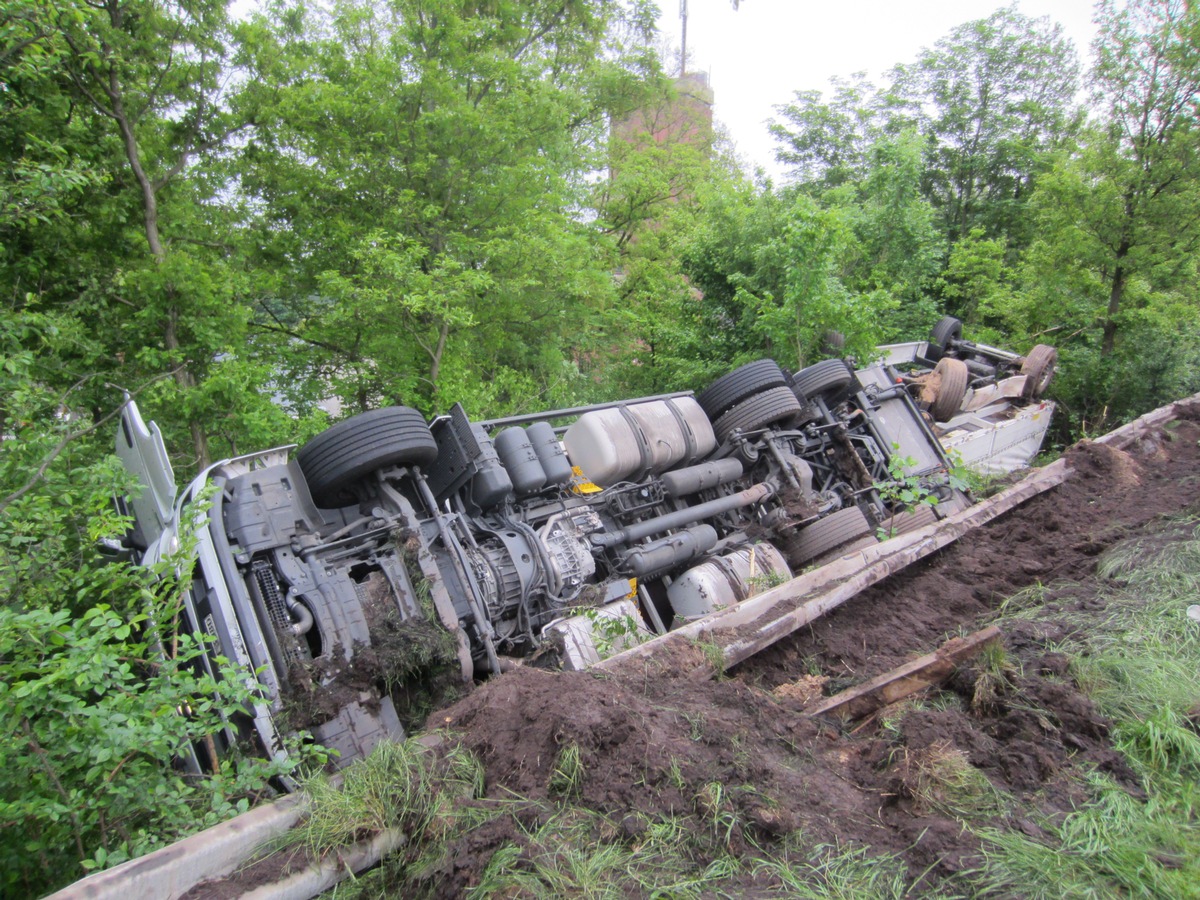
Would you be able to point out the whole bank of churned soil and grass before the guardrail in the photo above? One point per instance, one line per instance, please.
(1061, 764)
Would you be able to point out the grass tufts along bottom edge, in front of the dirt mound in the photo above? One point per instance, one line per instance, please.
(563, 850)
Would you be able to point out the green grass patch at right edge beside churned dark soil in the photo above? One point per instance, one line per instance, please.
(1141, 663)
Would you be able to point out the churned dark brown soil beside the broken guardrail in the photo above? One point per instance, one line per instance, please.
(652, 743)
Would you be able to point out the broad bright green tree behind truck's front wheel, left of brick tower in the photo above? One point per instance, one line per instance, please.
(422, 176)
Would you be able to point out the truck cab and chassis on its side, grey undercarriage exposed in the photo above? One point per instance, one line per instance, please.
(388, 553)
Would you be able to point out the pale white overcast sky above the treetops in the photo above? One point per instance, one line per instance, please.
(758, 56)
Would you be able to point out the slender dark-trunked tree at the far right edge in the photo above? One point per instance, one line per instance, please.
(1114, 272)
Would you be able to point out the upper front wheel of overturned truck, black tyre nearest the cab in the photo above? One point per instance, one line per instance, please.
(338, 458)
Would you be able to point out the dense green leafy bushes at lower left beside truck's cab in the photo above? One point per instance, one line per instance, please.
(98, 694)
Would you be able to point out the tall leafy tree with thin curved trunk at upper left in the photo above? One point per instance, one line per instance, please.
(117, 115)
